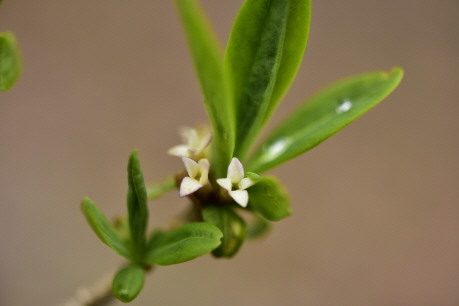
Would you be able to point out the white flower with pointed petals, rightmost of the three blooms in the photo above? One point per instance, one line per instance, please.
(235, 179)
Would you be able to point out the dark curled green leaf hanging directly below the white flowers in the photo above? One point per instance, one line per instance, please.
(232, 226)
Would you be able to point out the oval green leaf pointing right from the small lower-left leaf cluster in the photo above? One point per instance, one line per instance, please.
(182, 244)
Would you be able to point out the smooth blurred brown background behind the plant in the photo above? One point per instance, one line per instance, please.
(376, 216)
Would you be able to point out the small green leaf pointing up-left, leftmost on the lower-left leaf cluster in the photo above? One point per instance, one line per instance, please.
(103, 228)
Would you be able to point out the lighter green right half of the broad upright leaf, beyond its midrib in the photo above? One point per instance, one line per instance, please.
(296, 37)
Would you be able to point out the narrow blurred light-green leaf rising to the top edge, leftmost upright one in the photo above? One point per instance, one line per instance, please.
(207, 57)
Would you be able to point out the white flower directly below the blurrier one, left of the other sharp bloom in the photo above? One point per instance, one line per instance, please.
(197, 176)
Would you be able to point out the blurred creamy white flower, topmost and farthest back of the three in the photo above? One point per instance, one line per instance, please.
(194, 142)
